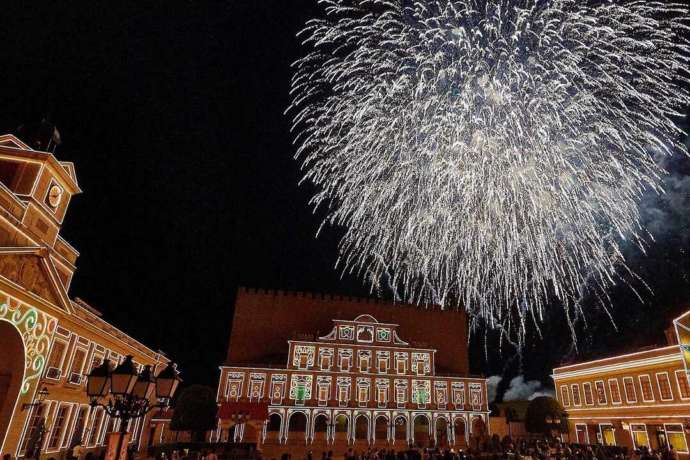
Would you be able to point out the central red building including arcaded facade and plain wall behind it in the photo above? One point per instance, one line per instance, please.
(371, 376)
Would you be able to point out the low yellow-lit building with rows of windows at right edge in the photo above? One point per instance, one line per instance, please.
(634, 399)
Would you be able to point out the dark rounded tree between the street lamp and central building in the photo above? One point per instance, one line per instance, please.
(195, 411)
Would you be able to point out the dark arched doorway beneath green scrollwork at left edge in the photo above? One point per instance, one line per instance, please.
(11, 373)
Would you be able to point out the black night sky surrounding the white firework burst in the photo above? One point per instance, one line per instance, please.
(173, 115)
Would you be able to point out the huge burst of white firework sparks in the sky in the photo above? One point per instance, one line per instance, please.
(489, 154)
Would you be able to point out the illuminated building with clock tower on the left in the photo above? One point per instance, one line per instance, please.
(47, 339)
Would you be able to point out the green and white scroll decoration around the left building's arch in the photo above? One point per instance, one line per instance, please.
(36, 329)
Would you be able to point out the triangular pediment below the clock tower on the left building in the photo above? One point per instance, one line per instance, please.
(34, 273)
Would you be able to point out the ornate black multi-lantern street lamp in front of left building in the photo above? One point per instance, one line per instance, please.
(128, 391)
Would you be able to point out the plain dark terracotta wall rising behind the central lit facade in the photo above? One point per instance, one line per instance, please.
(264, 320)
